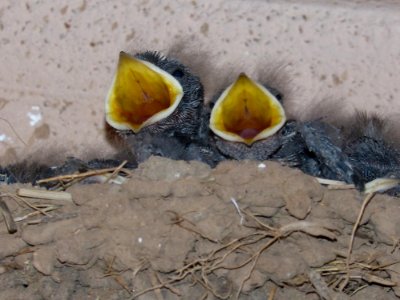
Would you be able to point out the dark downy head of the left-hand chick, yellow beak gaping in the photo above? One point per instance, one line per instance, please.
(153, 93)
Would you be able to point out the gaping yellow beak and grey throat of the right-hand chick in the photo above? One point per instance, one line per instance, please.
(245, 119)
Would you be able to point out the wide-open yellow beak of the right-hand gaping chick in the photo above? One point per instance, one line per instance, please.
(246, 112)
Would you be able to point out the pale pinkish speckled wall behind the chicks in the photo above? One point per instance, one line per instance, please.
(57, 60)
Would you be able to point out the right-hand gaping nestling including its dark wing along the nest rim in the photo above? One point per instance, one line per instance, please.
(249, 122)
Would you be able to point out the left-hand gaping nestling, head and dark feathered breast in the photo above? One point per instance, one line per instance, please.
(156, 103)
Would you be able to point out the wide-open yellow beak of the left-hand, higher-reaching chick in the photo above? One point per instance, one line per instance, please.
(141, 94)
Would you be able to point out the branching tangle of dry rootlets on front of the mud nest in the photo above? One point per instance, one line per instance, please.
(256, 243)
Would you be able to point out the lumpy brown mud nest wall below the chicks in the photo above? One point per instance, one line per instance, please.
(175, 224)
